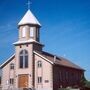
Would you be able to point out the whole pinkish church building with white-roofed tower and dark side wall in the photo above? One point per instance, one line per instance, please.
(31, 67)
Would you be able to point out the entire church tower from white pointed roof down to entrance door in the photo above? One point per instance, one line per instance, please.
(28, 41)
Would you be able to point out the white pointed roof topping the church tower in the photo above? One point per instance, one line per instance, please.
(29, 18)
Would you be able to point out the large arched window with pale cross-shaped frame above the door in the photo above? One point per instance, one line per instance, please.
(23, 59)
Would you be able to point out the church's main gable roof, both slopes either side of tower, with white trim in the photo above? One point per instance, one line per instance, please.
(53, 59)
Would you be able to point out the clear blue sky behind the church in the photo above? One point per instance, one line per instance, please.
(65, 28)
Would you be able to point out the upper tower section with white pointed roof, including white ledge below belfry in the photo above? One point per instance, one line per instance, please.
(29, 30)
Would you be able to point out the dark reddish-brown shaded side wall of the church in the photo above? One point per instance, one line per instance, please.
(65, 77)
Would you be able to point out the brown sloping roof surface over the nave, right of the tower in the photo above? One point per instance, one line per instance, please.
(58, 60)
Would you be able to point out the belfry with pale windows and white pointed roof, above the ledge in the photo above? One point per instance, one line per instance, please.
(29, 27)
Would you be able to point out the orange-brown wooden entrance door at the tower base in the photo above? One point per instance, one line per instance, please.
(23, 81)
